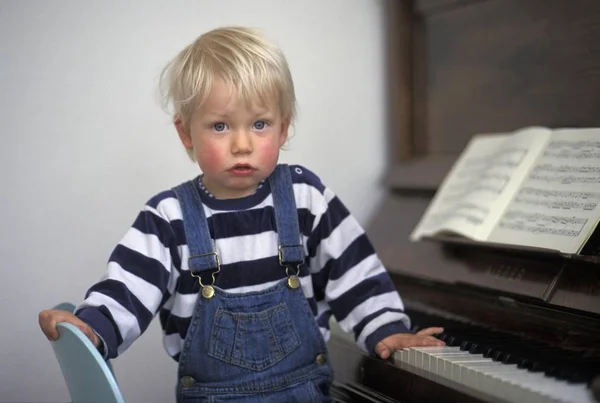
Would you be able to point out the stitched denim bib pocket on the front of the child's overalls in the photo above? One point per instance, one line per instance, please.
(253, 340)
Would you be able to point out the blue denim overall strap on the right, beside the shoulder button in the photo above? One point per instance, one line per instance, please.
(291, 249)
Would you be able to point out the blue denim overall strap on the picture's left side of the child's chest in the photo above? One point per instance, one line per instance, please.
(202, 253)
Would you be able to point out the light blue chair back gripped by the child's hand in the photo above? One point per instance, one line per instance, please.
(88, 376)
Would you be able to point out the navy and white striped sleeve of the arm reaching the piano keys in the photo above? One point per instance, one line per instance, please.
(350, 277)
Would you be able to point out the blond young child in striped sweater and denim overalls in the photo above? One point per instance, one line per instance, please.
(245, 263)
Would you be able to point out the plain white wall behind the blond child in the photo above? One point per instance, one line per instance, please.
(83, 144)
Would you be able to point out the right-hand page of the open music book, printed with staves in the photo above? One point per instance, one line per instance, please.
(557, 205)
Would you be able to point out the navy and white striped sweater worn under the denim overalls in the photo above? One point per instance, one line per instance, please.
(147, 273)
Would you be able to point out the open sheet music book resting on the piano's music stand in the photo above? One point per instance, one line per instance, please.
(535, 187)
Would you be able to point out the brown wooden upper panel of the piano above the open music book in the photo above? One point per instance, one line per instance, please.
(498, 65)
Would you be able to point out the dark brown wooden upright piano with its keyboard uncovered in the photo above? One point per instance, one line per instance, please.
(521, 325)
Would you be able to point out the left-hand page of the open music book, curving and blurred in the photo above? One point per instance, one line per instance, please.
(481, 183)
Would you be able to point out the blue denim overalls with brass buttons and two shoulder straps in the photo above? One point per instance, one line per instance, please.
(262, 346)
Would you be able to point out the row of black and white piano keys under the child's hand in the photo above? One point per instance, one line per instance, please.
(501, 366)
